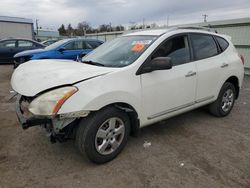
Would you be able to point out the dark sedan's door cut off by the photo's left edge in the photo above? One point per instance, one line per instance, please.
(7, 50)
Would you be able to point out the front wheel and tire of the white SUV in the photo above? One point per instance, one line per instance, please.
(103, 134)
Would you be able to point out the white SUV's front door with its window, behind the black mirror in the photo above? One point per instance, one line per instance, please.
(167, 91)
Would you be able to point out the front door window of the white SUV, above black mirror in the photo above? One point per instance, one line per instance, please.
(176, 48)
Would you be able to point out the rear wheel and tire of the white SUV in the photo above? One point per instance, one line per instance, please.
(224, 104)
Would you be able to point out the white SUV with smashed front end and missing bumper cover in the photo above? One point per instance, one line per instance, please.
(130, 82)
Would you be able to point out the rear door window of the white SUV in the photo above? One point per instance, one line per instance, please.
(204, 46)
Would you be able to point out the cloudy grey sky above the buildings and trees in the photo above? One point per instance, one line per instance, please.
(53, 13)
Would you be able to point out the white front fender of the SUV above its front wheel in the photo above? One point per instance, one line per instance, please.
(101, 91)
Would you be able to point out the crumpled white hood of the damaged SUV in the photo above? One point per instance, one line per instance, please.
(36, 76)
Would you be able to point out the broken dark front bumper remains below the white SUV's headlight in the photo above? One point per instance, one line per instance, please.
(29, 122)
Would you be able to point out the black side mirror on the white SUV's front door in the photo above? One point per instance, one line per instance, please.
(158, 63)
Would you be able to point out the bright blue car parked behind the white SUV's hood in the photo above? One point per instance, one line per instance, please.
(63, 49)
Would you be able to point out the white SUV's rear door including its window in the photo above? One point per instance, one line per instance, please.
(208, 63)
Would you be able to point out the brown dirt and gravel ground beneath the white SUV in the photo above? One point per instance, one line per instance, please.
(191, 150)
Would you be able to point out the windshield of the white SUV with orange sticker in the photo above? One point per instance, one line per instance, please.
(119, 52)
